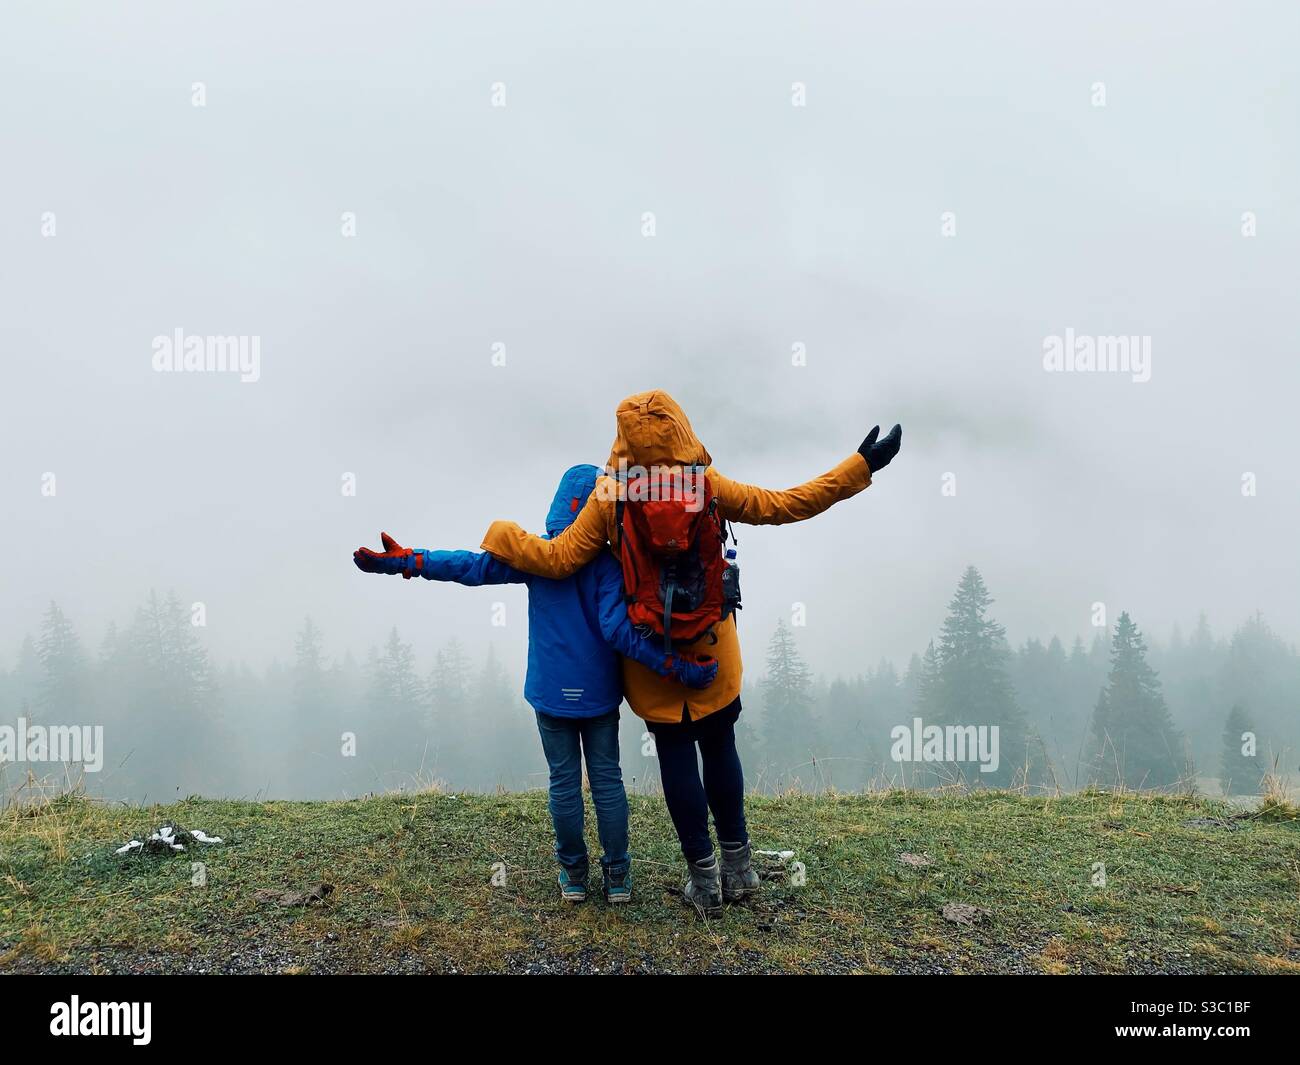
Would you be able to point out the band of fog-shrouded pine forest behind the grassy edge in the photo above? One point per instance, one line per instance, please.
(319, 724)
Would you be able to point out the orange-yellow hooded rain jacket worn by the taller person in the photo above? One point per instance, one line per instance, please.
(655, 431)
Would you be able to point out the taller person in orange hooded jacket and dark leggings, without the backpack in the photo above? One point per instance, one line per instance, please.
(653, 431)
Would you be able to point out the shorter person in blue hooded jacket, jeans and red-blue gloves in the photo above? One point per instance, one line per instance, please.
(578, 627)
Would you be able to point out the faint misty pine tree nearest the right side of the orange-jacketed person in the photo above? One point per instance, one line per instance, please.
(791, 735)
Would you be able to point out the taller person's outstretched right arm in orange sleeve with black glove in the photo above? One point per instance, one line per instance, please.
(761, 506)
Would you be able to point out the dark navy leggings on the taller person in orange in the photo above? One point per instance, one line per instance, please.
(723, 789)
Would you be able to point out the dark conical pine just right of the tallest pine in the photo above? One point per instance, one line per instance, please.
(1134, 739)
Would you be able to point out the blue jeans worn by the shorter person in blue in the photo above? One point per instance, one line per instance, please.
(566, 742)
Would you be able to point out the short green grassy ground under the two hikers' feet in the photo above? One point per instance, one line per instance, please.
(413, 889)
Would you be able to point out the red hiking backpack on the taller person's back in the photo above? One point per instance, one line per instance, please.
(671, 546)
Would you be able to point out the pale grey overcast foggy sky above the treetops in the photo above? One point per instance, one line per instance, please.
(774, 226)
